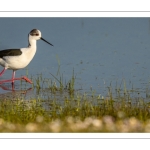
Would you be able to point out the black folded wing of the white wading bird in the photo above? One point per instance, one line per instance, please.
(10, 52)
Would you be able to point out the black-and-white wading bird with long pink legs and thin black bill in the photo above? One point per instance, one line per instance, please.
(15, 59)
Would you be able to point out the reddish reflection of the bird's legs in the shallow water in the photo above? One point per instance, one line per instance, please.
(14, 91)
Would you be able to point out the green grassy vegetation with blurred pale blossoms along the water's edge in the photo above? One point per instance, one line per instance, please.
(69, 110)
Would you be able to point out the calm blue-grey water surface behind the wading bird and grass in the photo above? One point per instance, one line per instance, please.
(103, 52)
